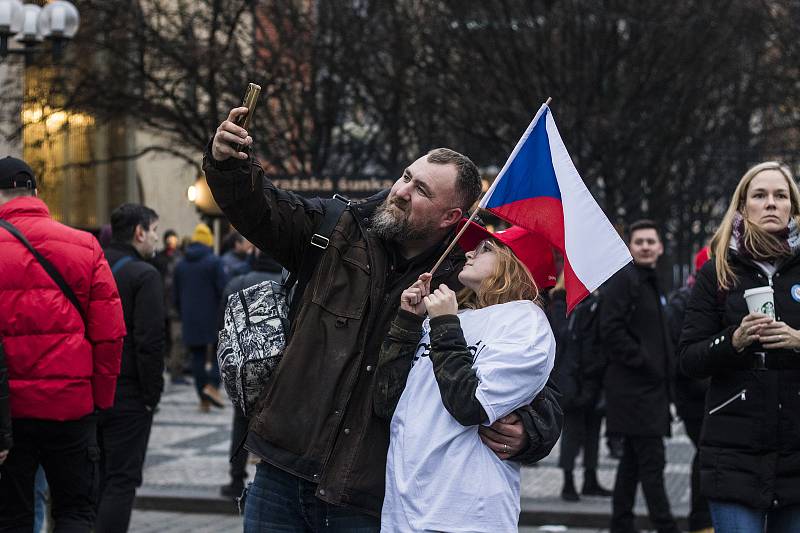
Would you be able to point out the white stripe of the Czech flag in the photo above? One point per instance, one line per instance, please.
(593, 246)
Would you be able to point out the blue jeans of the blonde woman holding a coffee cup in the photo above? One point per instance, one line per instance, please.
(736, 518)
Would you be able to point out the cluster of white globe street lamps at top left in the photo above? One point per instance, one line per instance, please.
(57, 22)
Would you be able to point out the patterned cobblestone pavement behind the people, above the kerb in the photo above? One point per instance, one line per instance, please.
(188, 455)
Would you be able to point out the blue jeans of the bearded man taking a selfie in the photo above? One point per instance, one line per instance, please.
(281, 502)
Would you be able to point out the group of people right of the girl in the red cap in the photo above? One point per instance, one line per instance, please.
(732, 372)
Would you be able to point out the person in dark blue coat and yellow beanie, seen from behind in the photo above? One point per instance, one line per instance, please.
(198, 285)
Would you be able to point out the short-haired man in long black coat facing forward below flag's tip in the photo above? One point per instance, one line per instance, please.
(637, 381)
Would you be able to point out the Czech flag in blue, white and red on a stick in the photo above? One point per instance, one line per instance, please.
(540, 190)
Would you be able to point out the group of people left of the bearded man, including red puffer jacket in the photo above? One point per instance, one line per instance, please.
(78, 390)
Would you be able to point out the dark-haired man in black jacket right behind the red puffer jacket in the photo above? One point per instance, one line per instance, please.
(123, 430)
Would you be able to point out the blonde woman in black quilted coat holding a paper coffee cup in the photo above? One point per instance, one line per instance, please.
(750, 443)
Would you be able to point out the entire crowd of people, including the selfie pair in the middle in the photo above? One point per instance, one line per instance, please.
(408, 396)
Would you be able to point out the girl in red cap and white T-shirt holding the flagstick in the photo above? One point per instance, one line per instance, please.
(477, 357)
